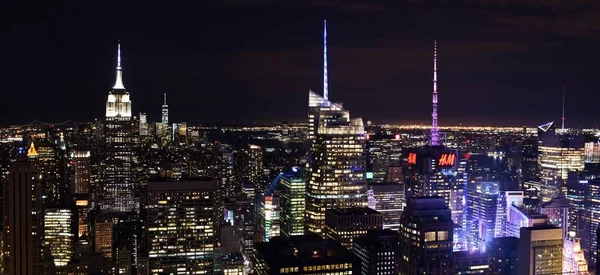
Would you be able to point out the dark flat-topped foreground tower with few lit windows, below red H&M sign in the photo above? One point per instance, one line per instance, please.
(426, 237)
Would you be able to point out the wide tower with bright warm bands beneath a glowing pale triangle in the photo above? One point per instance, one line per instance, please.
(559, 154)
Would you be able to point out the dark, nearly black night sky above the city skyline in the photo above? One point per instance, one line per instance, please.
(236, 61)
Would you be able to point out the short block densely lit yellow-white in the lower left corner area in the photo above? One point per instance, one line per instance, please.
(57, 235)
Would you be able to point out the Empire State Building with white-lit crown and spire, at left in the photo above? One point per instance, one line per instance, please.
(117, 188)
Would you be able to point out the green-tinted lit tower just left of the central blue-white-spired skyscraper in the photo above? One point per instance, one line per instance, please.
(293, 202)
